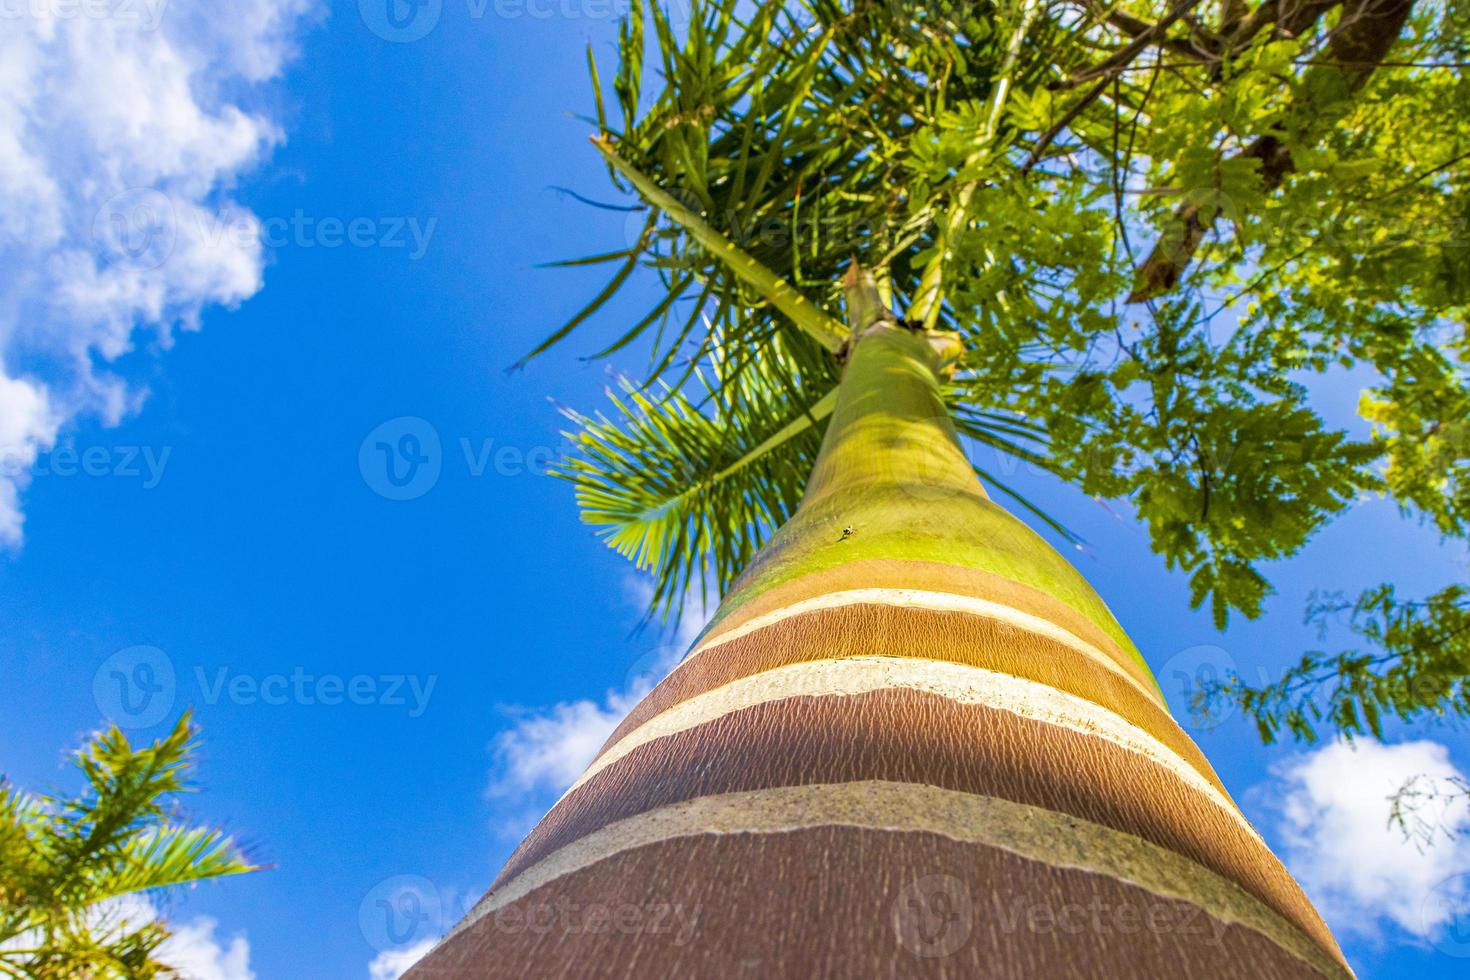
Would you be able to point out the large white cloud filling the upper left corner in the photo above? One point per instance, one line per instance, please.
(118, 152)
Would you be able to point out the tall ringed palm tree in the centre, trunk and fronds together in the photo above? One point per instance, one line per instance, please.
(912, 741)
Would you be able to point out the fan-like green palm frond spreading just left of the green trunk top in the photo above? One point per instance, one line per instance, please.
(689, 489)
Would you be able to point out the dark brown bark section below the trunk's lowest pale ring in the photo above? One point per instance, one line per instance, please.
(853, 903)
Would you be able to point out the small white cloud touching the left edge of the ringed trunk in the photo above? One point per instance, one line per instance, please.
(549, 747)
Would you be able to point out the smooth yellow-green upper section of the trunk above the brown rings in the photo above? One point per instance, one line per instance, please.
(893, 483)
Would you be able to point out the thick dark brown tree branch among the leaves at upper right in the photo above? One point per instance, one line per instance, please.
(1358, 45)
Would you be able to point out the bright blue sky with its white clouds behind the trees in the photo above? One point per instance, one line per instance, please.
(395, 681)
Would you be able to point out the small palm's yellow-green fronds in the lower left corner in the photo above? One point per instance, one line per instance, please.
(65, 862)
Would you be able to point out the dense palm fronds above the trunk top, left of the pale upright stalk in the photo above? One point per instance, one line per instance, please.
(793, 131)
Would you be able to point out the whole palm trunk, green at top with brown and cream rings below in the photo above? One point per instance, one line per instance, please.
(912, 743)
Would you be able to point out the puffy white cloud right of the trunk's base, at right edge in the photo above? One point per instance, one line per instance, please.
(1334, 822)
